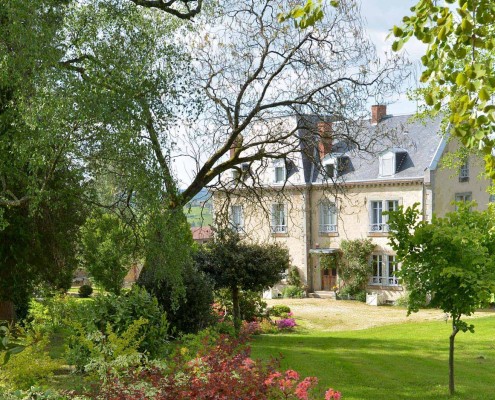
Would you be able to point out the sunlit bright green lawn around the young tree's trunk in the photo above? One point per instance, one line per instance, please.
(407, 361)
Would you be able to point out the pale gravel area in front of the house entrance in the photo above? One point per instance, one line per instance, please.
(341, 315)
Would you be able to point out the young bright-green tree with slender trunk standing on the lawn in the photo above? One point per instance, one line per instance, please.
(451, 259)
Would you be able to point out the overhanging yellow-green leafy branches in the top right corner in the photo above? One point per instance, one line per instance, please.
(458, 67)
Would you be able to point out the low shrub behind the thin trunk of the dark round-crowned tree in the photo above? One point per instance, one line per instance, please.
(252, 307)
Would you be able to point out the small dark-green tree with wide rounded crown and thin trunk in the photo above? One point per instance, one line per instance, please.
(235, 265)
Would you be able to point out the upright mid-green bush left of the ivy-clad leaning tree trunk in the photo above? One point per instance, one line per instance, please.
(107, 246)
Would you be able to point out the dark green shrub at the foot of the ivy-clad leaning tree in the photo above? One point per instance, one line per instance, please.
(188, 314)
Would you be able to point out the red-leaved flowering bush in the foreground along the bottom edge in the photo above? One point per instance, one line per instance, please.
(220, 371)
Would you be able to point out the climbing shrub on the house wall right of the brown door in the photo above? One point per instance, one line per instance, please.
(355, 268)
